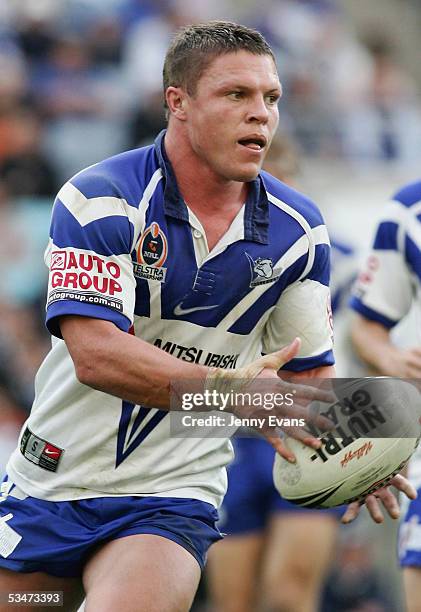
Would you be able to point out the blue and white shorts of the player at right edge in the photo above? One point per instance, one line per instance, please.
(409, 541)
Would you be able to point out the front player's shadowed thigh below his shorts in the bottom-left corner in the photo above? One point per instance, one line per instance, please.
(12, 582)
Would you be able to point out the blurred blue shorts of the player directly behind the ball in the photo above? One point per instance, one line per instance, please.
(252, 499)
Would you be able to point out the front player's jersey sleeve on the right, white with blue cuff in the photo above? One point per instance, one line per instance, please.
(304, 310)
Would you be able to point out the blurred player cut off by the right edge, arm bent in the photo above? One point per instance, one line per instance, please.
(389, 292)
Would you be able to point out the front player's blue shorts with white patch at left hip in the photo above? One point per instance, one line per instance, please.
(58, 537)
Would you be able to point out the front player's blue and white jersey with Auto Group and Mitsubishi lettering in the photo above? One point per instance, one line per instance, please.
(125, 248)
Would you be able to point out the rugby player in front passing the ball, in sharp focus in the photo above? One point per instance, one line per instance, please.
(207, 264)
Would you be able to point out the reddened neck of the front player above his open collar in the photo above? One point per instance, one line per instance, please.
(200, 187)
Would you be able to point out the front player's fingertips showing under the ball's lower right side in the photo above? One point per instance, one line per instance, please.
(387, 499)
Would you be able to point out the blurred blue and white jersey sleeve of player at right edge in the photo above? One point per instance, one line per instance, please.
(384, 289)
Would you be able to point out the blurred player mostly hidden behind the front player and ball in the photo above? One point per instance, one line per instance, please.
(275, 555)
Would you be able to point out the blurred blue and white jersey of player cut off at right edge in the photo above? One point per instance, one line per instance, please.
(389, 288)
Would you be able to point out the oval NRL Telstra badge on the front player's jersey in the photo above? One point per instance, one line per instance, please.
(151, 254)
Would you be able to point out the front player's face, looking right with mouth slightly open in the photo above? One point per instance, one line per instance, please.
(233, 114)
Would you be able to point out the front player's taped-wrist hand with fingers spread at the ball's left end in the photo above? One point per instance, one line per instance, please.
(261, 376)
